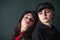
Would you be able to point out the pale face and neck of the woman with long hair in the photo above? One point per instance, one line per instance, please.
(27, 21)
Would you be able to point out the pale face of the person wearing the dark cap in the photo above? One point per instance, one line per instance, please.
(46, 15)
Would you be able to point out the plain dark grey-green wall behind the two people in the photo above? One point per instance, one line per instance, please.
(11, 11)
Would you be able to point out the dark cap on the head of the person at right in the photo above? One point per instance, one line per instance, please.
(44, 5)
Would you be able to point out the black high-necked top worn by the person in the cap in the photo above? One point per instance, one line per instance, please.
(42, 32)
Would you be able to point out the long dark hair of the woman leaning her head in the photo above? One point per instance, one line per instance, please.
(17, 30)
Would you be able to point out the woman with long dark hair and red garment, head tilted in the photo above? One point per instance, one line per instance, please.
(25, 26)
